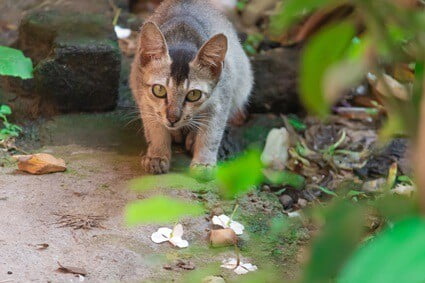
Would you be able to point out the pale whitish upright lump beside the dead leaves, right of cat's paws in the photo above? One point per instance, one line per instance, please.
(275, 153)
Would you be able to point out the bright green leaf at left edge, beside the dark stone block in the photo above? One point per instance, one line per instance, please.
(14, 63)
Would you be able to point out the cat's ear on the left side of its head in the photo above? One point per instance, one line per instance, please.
(152, 45)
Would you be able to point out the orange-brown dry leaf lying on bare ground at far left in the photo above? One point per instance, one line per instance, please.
(40, 163)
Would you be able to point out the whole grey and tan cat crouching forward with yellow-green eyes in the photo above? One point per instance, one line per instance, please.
(189, 77)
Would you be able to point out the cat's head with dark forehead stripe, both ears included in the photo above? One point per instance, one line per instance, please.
(177, 82)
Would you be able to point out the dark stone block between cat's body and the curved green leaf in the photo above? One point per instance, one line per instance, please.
(276, 86)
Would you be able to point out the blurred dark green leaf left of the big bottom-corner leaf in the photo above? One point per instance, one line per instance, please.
(338, 239)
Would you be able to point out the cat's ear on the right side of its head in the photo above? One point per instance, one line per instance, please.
(212, 54)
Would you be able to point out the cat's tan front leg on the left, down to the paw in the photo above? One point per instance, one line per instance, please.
(158, 155)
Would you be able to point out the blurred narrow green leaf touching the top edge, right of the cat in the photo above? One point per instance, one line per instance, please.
(292, 11)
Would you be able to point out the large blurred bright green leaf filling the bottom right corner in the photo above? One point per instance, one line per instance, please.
(396, 255)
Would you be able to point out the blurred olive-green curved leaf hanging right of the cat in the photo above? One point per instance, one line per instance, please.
(324, 50)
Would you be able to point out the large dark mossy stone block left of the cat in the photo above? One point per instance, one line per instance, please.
(77, 59)
